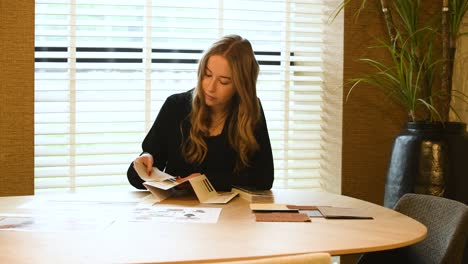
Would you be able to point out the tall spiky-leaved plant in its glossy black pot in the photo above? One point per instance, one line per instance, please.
(430, 154)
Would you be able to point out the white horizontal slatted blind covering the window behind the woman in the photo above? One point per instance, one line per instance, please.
(104, 68)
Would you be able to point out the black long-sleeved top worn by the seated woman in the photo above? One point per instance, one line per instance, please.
(164, 142)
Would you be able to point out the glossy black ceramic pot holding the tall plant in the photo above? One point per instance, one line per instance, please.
(429, 158)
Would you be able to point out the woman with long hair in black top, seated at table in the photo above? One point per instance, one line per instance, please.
(218, 128)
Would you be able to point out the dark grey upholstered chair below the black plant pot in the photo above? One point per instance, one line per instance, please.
(447, 224)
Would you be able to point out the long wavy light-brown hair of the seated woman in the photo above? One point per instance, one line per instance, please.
(244, 110)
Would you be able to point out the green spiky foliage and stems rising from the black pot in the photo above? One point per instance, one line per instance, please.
(418, 75)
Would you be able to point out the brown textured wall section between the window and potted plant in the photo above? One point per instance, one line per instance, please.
(370, 120)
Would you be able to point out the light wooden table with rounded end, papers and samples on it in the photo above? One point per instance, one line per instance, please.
(236, 235)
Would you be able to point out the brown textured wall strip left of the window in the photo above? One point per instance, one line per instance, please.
(16, 97)
